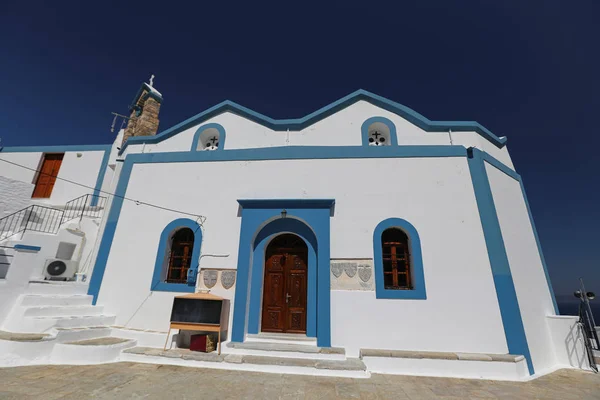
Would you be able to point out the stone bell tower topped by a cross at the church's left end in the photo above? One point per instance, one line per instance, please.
(143, 117)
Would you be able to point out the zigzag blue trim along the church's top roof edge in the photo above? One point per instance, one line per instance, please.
(324, 112)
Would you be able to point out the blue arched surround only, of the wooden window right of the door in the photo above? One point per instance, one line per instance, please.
(417, 276)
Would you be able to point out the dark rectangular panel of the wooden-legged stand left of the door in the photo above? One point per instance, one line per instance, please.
(196, 311)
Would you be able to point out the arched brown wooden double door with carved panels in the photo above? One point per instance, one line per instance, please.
(285, 285)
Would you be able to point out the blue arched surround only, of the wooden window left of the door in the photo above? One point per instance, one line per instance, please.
(161, 265)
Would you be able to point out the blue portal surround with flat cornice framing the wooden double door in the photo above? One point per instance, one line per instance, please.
(261, 221)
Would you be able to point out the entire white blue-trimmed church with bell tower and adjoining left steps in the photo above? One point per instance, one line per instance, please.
(360, 238)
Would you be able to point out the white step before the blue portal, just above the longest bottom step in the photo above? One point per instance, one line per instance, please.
(287, 350)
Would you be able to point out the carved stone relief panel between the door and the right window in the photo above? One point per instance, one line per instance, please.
(354, 274)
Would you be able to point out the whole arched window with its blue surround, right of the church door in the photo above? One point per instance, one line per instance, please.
(398, 261)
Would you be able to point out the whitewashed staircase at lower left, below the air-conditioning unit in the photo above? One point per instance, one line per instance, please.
(64, 318)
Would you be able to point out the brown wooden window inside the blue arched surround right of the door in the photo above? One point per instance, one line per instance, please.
(396, 259)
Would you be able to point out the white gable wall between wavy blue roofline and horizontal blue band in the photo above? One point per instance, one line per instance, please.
(340, 129)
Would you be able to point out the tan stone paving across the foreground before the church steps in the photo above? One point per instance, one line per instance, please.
(148, 381)
